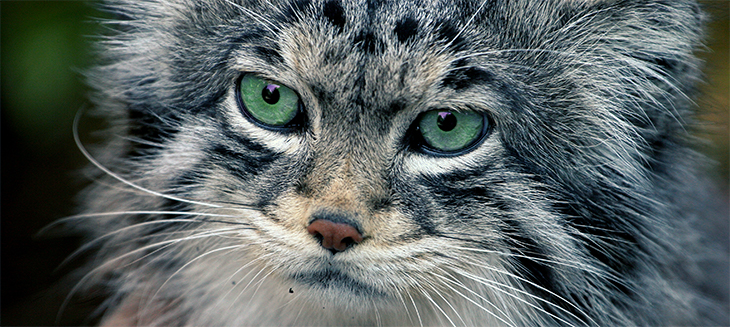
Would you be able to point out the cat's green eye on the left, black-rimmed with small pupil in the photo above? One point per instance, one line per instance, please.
(268, 103)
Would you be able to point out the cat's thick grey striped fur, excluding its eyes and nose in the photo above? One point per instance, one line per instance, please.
(579, 207)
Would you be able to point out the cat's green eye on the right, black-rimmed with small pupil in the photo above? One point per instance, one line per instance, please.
(448, 131)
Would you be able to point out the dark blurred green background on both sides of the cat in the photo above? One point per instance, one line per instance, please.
(43, 47)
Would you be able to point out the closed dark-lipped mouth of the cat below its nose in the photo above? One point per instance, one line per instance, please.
(335, 280)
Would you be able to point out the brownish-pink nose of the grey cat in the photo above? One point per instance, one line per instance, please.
(333, 236)
